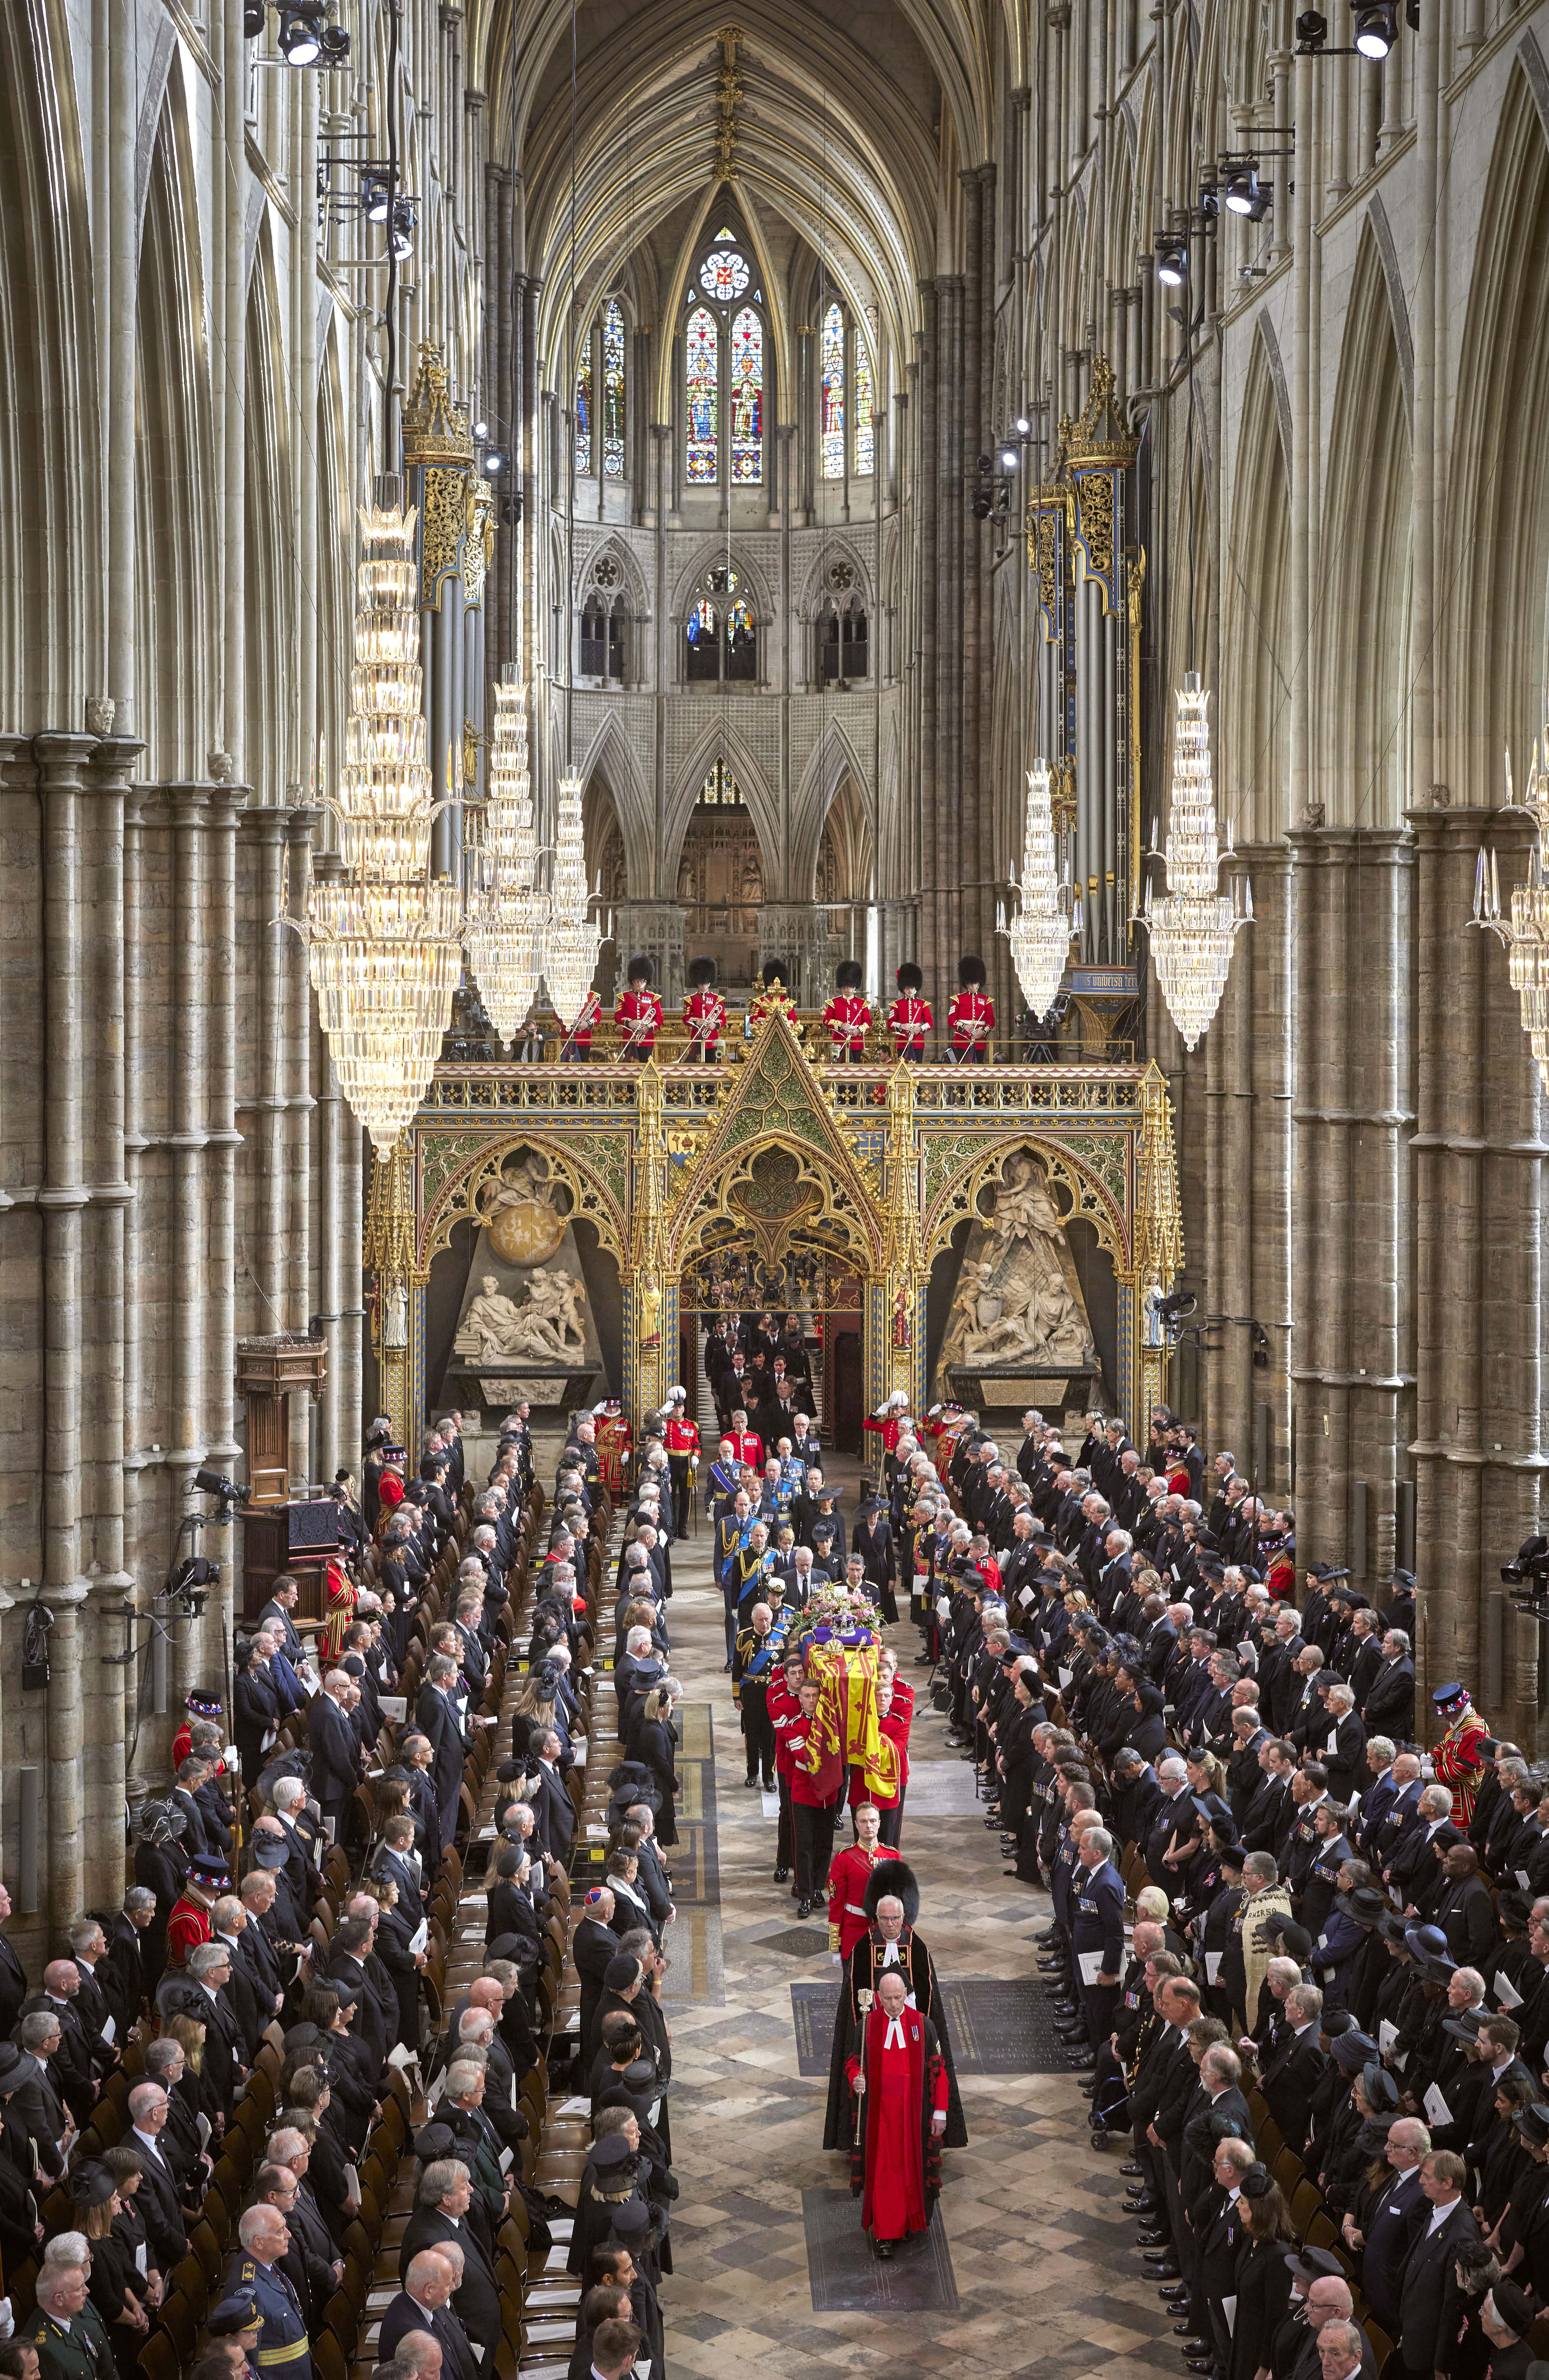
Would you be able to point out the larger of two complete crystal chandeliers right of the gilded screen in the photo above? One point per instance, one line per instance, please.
(1193, 927)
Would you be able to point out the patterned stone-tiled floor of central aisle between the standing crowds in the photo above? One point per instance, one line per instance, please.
(1043, 2260)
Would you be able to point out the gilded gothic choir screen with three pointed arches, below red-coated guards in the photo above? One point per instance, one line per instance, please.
(879, 1170)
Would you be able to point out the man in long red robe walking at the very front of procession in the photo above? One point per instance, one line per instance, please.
(901, 2081)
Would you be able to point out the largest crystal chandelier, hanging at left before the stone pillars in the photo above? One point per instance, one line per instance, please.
(384, 941)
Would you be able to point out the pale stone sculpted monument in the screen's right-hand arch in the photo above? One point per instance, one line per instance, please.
(1017, 1296)
